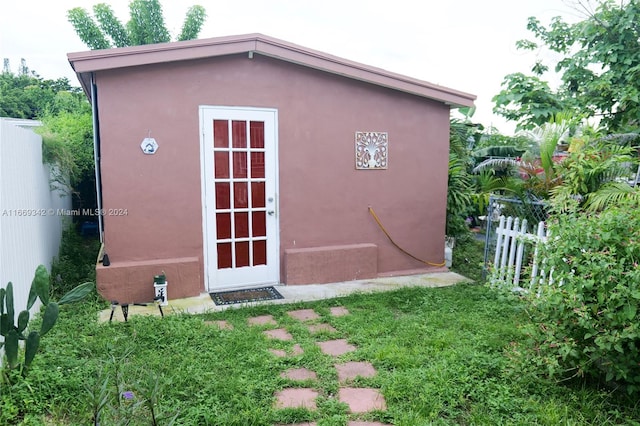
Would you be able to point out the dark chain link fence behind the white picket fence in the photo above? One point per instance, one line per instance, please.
(533, 211)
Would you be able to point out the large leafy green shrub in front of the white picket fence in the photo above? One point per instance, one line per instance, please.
(586, 322)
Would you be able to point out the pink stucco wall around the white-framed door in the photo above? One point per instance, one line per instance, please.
(323, 199)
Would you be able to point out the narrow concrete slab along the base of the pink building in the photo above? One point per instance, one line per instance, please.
(294, 293)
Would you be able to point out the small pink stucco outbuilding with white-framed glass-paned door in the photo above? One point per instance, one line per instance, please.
(247, 160)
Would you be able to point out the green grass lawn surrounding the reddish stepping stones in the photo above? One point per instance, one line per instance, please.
(439, 355)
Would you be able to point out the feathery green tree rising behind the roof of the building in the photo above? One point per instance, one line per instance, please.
(146, 25)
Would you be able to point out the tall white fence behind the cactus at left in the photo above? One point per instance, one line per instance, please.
(31, 214)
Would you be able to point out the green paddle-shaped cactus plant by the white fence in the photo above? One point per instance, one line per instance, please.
(13, 332)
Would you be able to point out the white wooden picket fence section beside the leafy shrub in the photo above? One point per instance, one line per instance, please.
(513, 237)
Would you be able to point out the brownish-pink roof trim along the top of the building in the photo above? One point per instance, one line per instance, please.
(84, 63)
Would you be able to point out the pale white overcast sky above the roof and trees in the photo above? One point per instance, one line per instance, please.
(467, 45)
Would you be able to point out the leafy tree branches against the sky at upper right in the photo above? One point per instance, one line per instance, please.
(600, 69)
